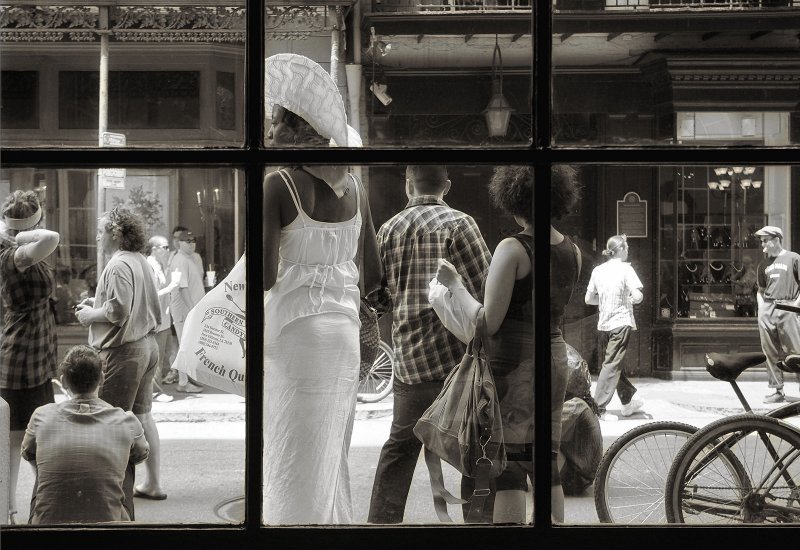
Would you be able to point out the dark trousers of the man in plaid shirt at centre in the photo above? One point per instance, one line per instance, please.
(400, 453)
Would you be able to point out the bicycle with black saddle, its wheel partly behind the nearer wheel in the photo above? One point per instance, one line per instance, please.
(631, 480)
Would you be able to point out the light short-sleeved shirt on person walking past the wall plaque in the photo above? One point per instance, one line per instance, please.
(613, 282)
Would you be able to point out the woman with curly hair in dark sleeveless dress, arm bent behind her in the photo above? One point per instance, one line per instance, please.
(508, 308)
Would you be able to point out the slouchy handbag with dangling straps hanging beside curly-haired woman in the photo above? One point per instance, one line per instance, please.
(464, 428)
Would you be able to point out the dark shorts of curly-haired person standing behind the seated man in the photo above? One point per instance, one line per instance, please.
(129, 371)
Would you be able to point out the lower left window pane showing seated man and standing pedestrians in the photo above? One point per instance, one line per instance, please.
(201, 329)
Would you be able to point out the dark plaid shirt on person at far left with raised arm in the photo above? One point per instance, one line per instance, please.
(28, 340)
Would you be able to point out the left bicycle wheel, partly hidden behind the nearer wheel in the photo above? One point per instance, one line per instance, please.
(630, 480)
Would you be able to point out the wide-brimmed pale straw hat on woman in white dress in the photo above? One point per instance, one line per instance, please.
(302, 86)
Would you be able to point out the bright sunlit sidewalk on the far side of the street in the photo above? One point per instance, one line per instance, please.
(703, 401)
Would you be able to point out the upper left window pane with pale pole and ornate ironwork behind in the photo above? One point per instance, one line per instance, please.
(174, 75)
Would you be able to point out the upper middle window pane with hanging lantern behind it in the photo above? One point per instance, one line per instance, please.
(428, 81)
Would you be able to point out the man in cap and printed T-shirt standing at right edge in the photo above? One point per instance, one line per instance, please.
(778, 280)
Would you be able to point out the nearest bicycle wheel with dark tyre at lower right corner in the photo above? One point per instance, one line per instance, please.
(741, 469)
